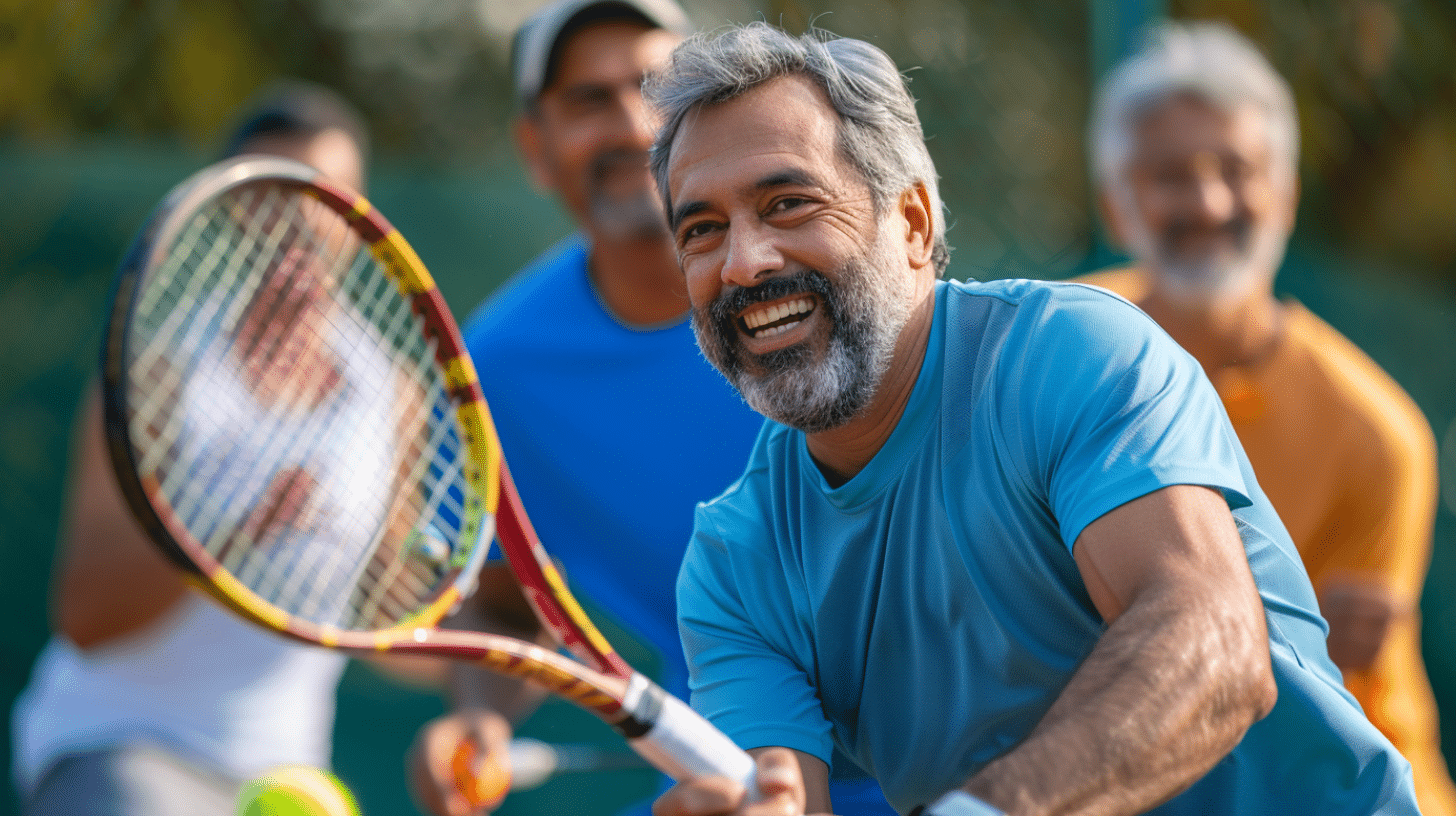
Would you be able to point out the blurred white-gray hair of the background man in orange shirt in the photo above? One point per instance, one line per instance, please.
(1205, 59)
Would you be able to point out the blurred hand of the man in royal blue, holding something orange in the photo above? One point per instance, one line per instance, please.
(487, 741)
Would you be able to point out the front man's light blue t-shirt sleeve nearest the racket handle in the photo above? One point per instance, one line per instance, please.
(740, 681)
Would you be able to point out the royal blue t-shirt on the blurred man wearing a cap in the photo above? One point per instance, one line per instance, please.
(614, 435)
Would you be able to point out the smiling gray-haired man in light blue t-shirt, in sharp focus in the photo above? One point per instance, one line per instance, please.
(998, 541)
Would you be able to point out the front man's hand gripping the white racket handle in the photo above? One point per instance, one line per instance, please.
(781, 792)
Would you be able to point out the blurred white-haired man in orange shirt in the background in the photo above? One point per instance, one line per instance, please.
(1196, 151)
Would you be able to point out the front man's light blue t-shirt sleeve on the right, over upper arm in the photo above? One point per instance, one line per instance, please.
(1100, 407)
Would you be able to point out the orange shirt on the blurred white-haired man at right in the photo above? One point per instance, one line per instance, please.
(1349, 463)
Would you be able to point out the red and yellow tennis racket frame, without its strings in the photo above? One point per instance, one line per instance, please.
(486, 467)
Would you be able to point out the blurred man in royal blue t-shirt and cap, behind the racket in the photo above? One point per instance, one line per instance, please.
(596, 384)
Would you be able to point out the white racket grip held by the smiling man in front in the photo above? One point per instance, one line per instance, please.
(681, 742)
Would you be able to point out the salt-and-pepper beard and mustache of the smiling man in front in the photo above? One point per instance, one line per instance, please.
(866, 313)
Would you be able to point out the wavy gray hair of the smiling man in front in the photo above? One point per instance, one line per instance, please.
(879, 130)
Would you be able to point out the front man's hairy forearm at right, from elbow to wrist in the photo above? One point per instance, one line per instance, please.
(1167, 693)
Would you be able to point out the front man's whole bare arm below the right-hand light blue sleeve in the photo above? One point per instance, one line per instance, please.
(1173, 686)
